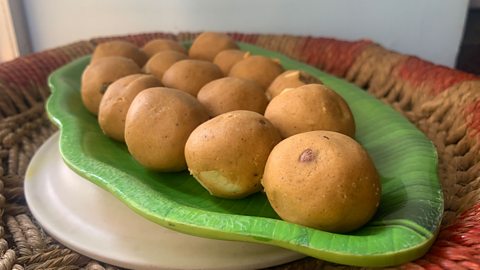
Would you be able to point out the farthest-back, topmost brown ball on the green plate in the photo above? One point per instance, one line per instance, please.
(208, 44)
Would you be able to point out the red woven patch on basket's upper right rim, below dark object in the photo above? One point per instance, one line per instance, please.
(434, 78)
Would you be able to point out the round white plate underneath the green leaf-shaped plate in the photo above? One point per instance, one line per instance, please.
(91, 221)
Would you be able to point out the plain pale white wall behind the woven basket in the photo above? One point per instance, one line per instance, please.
(431, 29)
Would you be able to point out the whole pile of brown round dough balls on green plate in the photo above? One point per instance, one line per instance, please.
(239, 123)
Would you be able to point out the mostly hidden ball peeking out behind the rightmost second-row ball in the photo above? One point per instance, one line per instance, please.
(290, 79)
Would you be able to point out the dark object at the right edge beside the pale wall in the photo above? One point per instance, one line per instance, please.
(469, 55)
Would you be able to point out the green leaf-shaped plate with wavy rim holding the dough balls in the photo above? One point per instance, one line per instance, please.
(403, 229)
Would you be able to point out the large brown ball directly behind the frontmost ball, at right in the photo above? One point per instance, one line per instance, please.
(310, 107)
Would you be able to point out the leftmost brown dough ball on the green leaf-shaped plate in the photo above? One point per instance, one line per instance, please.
(98, 75)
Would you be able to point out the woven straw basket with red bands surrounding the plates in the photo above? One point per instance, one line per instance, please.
(442, 102)
